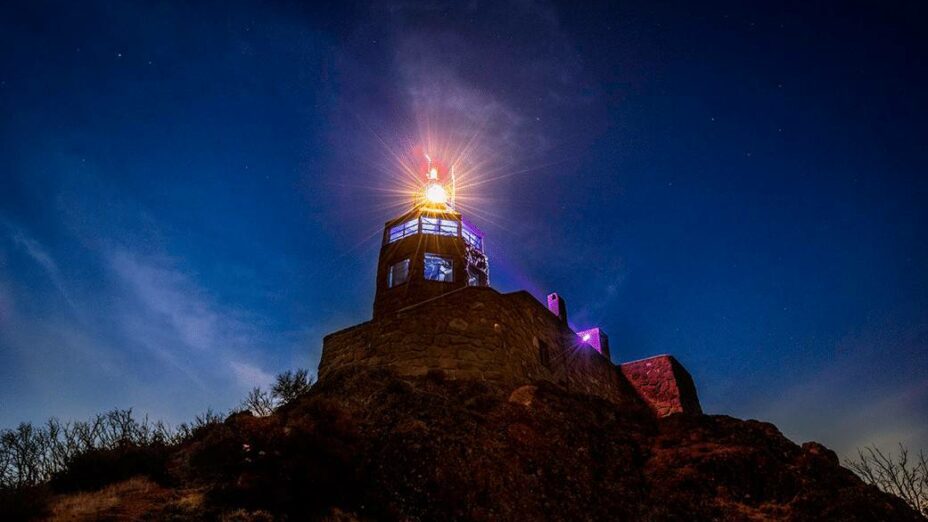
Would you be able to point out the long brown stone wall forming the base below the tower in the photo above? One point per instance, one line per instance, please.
(478, 333)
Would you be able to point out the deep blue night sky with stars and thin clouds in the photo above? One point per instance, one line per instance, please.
(191, 194)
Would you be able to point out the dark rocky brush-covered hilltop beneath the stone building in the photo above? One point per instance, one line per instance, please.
(374, 446)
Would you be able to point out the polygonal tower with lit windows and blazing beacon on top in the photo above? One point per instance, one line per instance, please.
(427, 252)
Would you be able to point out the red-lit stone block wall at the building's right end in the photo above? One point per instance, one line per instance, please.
(664, 384)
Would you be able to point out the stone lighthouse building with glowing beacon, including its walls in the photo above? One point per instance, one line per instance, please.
(434, 310)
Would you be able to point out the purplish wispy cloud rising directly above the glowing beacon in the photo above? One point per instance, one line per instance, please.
(453, 98)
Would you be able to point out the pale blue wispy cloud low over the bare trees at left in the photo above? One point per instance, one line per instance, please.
(149, 336)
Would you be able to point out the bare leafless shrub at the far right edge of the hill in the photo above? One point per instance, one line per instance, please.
(898, 474)
